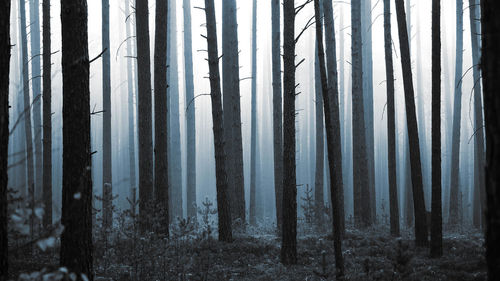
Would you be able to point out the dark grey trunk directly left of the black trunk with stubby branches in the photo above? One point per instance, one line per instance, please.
(277, 111)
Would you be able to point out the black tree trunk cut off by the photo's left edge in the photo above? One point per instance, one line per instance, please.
(4, 132)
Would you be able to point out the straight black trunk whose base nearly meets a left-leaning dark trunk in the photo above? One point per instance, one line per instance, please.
(437, 217)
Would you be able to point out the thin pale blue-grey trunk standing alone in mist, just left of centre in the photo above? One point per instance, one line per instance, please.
(253, 141)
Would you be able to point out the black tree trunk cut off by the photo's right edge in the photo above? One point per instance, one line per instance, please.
(490, 66)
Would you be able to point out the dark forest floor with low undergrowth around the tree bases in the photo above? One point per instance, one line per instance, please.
(370, 254)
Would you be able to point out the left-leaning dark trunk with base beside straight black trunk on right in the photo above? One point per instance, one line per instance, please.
(421, 231)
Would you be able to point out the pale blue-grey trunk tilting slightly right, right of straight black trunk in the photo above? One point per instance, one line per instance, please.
(457, 116)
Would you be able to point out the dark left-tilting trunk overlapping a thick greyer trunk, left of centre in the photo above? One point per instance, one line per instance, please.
(223, 203)
